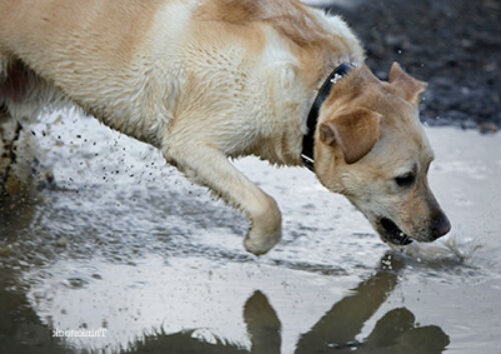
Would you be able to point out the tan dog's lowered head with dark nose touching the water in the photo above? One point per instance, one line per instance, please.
(371, 147)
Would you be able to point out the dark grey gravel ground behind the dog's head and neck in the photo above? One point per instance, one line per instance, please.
(454, 45)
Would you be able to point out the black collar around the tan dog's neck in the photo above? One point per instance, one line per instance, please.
(308, 139)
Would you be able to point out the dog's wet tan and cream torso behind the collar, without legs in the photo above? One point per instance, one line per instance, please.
(136, 65)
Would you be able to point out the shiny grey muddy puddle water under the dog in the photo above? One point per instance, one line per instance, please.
(124, 255)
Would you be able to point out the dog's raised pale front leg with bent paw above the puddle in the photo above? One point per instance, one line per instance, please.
(210, 167)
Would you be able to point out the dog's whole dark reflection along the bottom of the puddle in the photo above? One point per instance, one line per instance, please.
(395, 333)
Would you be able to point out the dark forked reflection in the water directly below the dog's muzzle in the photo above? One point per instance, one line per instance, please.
(396, 332)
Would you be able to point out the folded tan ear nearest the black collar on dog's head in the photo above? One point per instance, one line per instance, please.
(354, 132)
